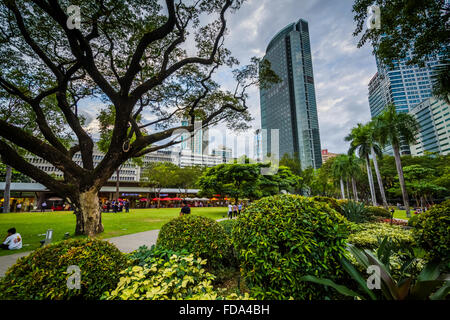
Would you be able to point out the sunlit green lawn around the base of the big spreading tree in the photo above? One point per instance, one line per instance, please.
(32, 225)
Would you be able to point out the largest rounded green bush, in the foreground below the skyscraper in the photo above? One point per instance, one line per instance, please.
(279, 239)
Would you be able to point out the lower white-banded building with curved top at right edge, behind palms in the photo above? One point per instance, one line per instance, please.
(433, 116)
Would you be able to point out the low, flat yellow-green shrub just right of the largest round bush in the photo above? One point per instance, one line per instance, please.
(370, 234)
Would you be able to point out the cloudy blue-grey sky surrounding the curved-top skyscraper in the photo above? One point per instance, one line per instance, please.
(341, 70)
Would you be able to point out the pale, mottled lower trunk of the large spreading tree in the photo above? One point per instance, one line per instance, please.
(88, 213)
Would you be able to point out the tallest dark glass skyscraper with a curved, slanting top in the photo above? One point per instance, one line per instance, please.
(290, 106)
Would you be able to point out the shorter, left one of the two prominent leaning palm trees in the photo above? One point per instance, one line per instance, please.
(360, 138)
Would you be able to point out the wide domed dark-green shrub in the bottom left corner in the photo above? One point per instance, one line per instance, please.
(43, 273)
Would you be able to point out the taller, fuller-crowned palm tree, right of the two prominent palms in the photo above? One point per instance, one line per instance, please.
(395, 128)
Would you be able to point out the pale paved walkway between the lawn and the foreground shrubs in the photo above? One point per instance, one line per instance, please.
(126, 244)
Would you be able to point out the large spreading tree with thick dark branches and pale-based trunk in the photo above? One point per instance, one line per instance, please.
(140, 57)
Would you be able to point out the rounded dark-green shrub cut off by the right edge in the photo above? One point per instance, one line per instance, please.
(432, 231)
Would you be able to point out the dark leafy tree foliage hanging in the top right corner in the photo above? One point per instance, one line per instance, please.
(418, 27)
